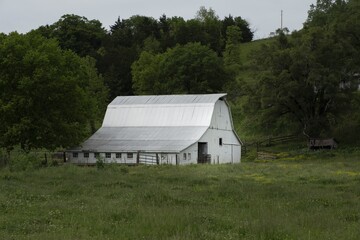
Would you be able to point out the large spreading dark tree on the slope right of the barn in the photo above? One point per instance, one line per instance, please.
(303, 81)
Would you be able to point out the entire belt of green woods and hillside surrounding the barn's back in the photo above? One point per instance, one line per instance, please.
(57, 80)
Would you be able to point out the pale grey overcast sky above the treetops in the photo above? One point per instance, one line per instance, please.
(263, 15)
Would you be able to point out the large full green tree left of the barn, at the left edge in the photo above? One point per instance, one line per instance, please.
(48, 94)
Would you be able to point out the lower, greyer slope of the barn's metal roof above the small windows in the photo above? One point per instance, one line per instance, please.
(151, 139)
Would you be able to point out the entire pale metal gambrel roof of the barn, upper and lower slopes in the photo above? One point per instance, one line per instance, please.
(165, 123)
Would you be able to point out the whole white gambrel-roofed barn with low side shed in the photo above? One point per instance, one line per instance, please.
(163, 129)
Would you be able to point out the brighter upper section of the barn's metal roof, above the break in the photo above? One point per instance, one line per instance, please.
(161, 111)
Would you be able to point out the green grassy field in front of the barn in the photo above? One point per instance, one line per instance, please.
(310, 195)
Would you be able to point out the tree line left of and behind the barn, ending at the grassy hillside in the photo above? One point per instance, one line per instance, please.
(56, 80)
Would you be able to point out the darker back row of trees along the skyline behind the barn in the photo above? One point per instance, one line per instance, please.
(115, 51)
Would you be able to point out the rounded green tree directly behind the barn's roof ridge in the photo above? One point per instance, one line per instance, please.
(192, 68)
